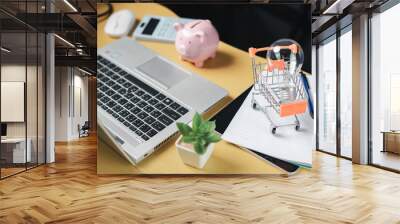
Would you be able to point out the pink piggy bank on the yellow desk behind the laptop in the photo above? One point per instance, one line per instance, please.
(196, 41)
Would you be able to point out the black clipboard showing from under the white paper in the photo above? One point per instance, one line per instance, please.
(224, 117)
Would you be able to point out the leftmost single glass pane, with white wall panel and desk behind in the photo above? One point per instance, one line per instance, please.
(13, 89)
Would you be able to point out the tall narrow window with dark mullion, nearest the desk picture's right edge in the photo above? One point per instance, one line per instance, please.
(335, 94)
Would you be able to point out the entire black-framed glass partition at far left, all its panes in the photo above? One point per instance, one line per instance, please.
(22, 101)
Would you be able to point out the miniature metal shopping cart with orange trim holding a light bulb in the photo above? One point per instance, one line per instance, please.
(278, 82)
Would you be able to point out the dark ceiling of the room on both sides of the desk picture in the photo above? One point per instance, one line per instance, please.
(75, 21)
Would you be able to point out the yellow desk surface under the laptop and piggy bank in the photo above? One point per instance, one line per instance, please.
(231, 69)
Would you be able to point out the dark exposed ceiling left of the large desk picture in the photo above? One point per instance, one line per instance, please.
(72, 20)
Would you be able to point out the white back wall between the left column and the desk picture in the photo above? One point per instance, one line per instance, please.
(67, 116)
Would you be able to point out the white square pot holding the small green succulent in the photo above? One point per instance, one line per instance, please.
(190, 157)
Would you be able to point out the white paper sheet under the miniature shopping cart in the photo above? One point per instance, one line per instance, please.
(251, 129)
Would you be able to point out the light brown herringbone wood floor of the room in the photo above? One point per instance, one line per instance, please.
(69, 191)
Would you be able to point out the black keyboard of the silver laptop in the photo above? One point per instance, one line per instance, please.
(136, 105)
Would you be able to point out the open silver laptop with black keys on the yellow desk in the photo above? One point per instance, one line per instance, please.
(141, 96)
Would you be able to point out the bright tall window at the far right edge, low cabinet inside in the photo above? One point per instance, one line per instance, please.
(385, 89)
